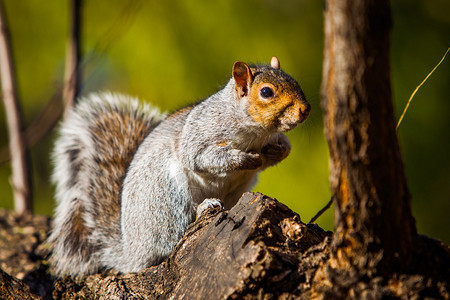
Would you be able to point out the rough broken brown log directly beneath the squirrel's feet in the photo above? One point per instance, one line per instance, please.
(253, 249)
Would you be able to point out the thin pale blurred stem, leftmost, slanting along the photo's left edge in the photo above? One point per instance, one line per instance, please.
(21, 177)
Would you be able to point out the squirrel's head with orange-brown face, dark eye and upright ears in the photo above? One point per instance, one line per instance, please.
(274, 99)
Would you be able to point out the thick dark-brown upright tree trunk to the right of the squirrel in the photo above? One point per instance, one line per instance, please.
(375, 230)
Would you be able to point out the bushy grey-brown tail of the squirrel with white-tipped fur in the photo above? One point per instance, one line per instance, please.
(96, 143)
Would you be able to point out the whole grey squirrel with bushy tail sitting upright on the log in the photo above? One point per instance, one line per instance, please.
(130, 179)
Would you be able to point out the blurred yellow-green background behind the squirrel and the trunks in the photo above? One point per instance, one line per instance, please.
(175, 52)
